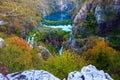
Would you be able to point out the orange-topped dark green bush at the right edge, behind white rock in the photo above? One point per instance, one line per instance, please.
(103, 57)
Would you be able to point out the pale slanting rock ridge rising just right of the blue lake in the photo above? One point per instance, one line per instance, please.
(81, 17)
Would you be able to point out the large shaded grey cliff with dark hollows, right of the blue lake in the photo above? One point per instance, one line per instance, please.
(106, 17)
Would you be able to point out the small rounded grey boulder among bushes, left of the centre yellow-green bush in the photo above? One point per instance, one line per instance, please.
(44, 53)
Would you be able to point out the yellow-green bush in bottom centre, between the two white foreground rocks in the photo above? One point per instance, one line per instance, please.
(60, 66)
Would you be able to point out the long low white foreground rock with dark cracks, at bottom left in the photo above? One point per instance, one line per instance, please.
(31, 75)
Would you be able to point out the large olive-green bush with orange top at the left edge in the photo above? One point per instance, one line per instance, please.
(16, 55)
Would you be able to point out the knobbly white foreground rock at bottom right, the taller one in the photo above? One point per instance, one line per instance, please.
(89, 73)
